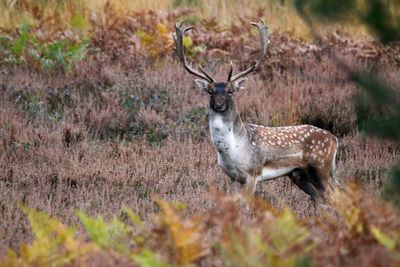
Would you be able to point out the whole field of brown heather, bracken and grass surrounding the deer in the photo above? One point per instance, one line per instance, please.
(105, 153)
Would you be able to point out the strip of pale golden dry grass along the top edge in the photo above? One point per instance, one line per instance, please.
(280, 15)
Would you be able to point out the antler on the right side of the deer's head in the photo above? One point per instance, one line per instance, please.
(264, 32)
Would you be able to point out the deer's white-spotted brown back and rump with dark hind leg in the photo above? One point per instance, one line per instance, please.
(304, 146)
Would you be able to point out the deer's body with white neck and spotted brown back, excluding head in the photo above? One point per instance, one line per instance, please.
(249, 153)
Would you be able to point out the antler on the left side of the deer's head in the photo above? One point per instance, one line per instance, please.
(178, 38)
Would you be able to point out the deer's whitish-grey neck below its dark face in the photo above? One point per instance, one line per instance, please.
(228, 132)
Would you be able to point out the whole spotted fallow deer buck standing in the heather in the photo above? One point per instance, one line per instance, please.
(250, 153)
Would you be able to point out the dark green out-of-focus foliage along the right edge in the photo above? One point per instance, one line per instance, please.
(377, 104)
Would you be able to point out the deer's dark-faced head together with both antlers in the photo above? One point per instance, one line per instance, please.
(221, 93)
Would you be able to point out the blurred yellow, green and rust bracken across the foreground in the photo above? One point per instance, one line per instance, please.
(270, 237)
